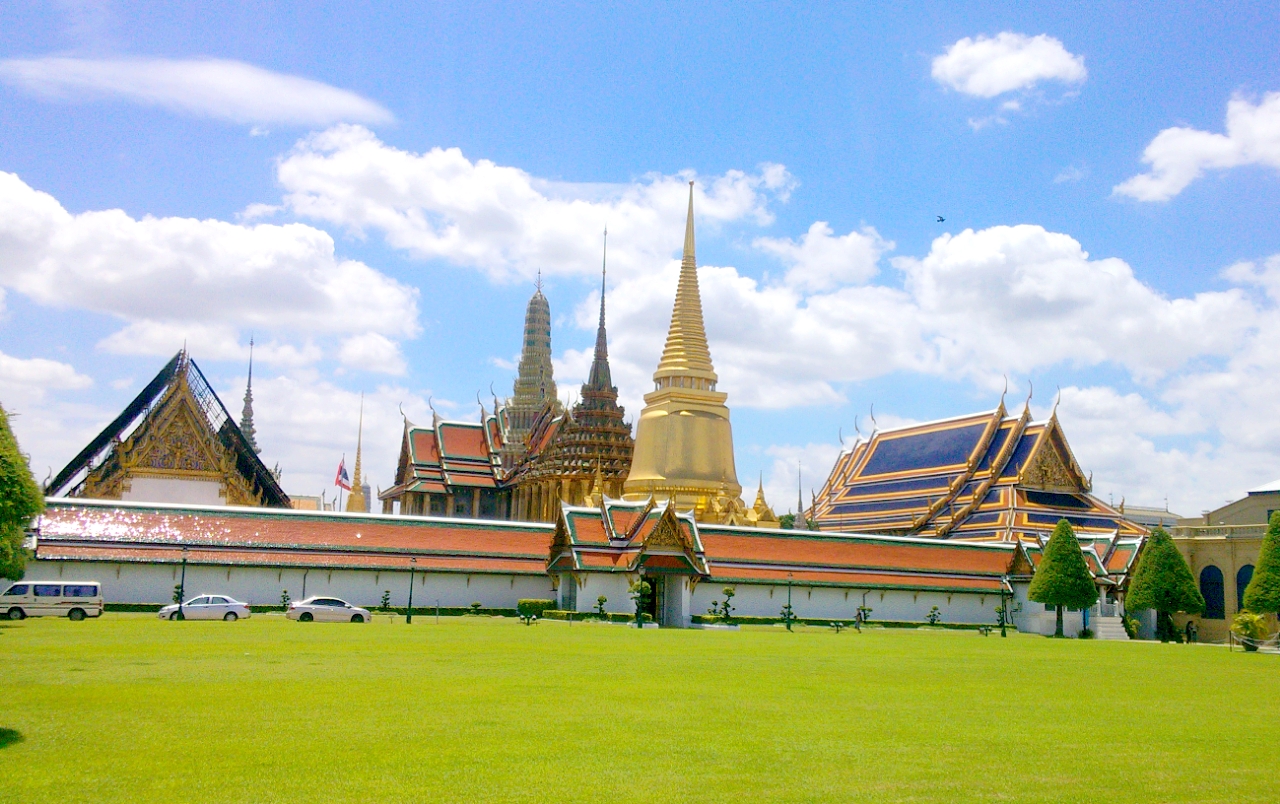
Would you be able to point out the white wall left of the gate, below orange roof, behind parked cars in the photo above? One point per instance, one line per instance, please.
(154, 583)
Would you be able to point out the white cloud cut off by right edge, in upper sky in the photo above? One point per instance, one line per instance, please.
(1181, 156)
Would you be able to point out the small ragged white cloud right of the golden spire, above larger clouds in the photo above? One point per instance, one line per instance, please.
(821, 262)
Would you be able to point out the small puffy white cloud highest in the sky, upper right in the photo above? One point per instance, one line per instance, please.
(986, 67)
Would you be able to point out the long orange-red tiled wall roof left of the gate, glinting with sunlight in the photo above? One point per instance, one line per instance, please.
(148, 532)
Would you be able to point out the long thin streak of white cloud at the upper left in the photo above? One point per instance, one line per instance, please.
(207, 88)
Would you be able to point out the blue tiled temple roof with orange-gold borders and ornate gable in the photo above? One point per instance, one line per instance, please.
(986, 477)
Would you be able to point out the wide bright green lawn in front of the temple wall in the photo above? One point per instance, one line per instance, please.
(134, 710)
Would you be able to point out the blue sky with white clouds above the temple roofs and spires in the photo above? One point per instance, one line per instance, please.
(371, 193)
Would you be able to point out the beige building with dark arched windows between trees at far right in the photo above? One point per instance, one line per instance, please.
(1222, 547)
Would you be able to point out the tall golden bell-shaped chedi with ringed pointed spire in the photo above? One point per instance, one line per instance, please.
(684, 449)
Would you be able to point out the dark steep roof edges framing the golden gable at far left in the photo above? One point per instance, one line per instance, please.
(209, 418)
